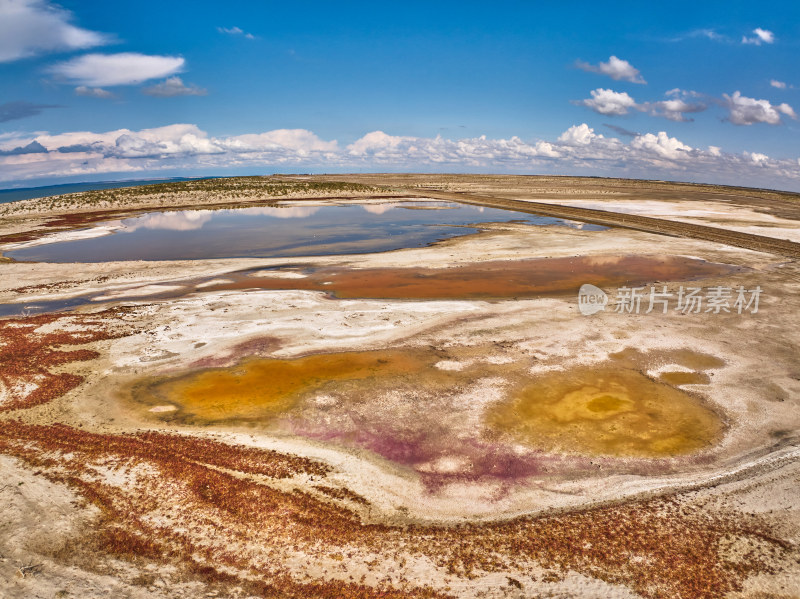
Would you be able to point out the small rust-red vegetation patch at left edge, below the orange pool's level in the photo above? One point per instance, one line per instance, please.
(27, 357)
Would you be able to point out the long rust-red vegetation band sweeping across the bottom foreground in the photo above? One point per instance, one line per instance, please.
(198, 503)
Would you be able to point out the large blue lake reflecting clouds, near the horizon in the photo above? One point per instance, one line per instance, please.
(269, 232)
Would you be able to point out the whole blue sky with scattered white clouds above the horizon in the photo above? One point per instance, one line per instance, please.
(700, 91)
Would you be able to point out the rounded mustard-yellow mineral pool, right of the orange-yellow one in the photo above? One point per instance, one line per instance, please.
(606, 411)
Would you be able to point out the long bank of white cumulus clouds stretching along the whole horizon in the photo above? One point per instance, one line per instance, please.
(578, 150)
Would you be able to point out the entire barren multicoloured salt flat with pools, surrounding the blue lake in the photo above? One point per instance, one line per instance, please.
(438, 420)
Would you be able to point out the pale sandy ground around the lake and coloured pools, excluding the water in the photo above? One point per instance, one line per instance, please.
(60, 497)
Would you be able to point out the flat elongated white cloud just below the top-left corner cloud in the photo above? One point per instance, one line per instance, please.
(127, 68)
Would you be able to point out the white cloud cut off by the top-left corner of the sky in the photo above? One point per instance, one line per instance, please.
(30, 27)
